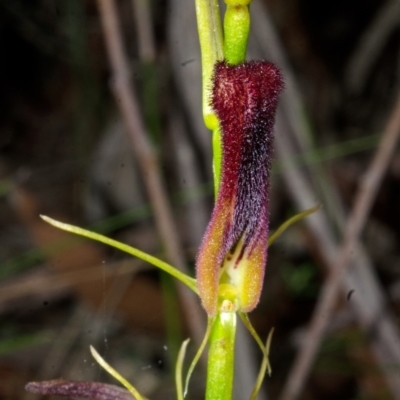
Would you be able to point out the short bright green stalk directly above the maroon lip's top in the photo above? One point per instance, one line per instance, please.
(236, 30)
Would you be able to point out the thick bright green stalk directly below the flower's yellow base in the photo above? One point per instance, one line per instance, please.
(221, 357)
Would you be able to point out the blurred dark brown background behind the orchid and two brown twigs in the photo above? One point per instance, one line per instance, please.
(64, 152)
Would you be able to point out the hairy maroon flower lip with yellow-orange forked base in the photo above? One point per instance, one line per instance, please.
(234, 248)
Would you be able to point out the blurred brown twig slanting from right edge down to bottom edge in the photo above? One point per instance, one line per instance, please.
(357, 219)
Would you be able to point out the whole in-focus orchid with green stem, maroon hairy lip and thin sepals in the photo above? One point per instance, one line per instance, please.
(239, 105)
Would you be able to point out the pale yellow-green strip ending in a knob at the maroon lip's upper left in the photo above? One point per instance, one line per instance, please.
(211, 45)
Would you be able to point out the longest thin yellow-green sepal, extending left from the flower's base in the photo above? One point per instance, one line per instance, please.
(187, 280)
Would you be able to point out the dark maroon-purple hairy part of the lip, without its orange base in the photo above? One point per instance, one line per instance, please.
(244, 99)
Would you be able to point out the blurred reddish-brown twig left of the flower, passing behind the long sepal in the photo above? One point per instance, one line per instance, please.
(127, 102)
